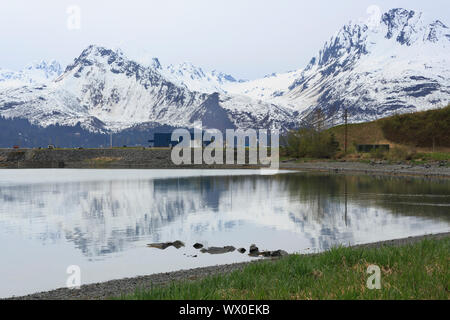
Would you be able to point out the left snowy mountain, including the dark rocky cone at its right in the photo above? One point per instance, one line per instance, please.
(103, 89)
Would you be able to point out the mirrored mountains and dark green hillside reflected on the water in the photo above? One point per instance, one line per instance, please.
(103, 217)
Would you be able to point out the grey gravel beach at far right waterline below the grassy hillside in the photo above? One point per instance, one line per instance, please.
(432, 170)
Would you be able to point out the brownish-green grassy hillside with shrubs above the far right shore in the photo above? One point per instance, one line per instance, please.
(425, 130)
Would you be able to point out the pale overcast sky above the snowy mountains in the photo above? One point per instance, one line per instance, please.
(245, 38)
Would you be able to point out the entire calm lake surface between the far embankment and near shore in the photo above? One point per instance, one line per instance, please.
(101, 220)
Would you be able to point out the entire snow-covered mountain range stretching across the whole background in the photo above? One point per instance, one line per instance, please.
(372, 70)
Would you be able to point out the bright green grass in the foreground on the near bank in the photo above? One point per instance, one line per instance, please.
(418, 271)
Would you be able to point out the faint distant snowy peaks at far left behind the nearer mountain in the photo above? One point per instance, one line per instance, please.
(36, 73)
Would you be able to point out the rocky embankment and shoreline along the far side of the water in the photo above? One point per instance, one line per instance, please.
(160, 159)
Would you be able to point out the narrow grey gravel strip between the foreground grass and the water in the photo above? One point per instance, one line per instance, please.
(115, 288)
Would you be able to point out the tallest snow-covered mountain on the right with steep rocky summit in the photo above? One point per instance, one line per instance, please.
(400, 65)
